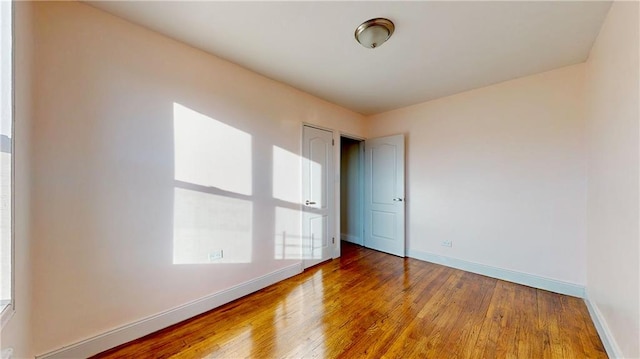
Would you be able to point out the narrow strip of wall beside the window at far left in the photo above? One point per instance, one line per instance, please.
(17, 332)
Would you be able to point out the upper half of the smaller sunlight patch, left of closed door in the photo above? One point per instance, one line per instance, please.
(286, 175)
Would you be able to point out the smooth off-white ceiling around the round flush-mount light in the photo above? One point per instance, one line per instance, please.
(438, 48)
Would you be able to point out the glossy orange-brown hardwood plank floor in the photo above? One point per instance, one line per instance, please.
(370, 304)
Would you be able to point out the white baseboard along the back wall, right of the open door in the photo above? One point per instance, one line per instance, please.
(530, 280)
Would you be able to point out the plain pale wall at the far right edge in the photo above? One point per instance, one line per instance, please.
(613, 260)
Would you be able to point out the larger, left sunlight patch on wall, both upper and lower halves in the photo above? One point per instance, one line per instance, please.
(213, 208)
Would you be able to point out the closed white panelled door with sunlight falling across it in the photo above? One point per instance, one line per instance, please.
(317, 192)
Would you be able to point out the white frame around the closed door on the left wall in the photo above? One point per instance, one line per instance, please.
(333, 226)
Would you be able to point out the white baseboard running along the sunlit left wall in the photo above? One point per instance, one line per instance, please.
(138, 329)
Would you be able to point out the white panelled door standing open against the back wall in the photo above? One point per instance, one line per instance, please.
(384, 194)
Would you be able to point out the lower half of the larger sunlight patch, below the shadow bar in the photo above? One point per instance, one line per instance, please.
(205, 224)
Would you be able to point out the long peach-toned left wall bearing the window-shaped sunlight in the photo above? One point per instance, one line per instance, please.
(105, 152)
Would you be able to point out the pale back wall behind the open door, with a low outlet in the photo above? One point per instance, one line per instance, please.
(500, 172)
